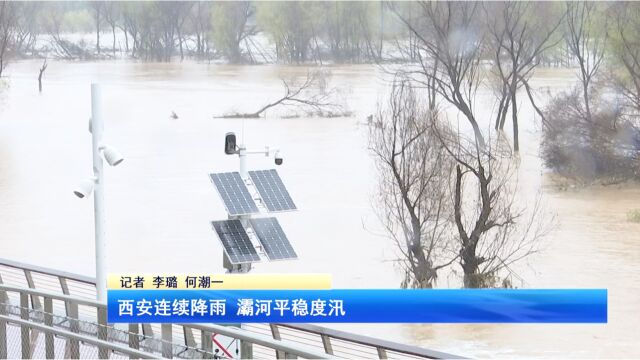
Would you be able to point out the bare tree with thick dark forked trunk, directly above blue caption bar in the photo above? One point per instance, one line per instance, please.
(496, 227)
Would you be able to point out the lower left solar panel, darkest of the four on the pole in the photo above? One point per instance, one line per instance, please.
(235, 241)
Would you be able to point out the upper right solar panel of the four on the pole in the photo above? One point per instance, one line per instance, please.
(272, 190)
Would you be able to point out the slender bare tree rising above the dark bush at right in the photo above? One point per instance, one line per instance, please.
(586, 42)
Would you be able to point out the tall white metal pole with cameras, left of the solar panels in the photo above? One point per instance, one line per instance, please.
(98, 194)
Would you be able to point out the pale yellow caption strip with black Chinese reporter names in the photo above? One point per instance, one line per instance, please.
(219, 281)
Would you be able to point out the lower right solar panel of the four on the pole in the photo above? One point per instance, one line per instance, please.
(275, 242)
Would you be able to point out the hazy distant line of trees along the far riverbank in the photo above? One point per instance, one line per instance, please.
(235, 32)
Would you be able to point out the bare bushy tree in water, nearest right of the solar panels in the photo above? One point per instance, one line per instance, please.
(414, 202)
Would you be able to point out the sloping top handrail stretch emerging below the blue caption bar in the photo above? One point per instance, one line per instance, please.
(371, 341)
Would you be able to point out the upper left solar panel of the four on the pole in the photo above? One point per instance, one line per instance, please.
(234, 193)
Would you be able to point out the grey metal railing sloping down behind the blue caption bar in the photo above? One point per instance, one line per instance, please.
(73, 296)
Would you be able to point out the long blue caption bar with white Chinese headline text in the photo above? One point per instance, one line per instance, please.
(359, 306)
